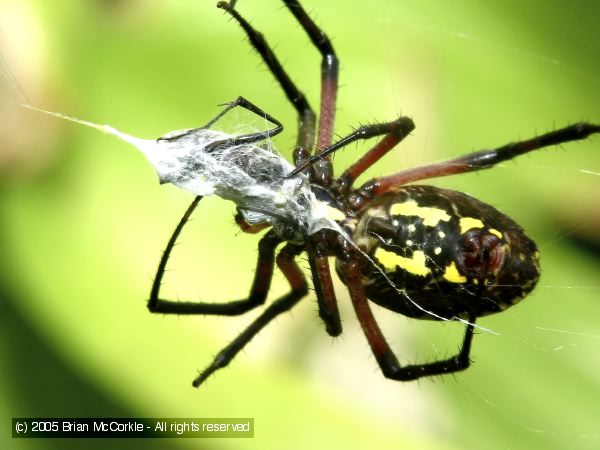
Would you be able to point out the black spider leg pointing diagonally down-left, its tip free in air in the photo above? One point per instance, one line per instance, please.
(294, 275)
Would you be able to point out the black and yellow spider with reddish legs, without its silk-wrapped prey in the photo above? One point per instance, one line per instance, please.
(418, 250)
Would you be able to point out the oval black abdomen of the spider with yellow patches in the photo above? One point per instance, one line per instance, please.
(437, 253)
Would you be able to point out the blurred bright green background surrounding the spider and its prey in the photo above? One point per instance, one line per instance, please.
(83, 221)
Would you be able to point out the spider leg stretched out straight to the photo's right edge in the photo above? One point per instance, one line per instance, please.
(483, 159)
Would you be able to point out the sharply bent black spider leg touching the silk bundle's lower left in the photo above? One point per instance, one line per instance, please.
(258, 291)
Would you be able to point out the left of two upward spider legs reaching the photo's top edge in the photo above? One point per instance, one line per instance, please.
(306, 116)
